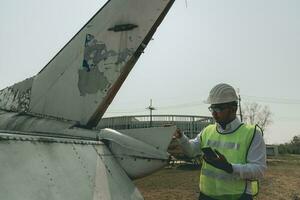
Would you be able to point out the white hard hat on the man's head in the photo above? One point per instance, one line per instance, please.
(221, 93)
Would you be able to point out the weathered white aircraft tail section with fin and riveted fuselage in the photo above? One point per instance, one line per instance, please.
(49, 147)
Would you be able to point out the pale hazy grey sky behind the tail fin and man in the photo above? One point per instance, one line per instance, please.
(253, 45)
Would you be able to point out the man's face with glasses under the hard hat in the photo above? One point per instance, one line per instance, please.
(222, 113)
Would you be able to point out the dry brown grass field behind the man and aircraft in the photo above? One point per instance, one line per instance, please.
(281, 182)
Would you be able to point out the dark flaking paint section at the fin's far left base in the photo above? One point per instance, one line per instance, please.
(16, 97)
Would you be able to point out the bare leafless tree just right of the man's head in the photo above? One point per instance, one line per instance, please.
(254, 113)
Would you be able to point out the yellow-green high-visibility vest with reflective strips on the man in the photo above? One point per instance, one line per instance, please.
(217, 183)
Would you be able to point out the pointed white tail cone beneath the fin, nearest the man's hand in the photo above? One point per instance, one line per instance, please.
(139, 157)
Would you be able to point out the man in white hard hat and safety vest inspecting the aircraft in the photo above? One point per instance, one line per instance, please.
(234, 153)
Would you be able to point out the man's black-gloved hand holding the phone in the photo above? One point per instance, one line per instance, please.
(219, 162)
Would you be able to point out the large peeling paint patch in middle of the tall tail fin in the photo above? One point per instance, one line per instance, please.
(100, 66)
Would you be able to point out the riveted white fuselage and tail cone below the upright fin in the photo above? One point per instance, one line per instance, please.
(135, 154)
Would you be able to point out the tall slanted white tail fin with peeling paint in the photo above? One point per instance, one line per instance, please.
(81, 81)
